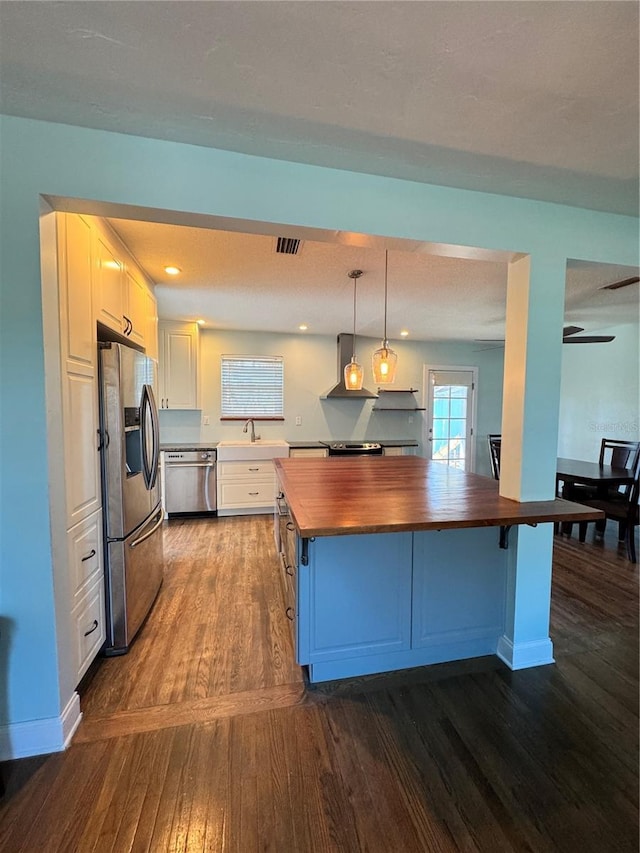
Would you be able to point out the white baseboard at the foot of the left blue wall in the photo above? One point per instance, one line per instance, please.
(39, 737)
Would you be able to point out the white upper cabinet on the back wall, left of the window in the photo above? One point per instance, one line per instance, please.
(178, 366)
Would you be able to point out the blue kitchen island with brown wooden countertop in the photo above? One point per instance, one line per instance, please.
(394, 562)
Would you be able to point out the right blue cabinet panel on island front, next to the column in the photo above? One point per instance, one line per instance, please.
(459, 592)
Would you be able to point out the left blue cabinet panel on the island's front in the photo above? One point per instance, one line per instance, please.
(354, 597)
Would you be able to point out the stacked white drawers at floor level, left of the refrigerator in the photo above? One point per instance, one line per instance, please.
(86, 575)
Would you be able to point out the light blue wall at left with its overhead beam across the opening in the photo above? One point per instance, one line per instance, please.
(44, 158)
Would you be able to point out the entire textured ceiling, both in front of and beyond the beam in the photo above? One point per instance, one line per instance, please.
(531, 99)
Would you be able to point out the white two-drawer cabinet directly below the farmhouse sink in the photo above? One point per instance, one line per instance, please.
(245, 487)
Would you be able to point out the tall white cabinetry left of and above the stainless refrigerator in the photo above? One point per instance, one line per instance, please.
(96, 281)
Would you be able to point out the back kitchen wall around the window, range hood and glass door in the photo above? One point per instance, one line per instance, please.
(310, 370)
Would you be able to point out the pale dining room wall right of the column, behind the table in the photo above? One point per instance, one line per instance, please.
(600, 396)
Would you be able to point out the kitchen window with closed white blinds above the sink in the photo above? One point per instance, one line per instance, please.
(252, 387)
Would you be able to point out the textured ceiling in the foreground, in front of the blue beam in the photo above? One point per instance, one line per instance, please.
(535, 99)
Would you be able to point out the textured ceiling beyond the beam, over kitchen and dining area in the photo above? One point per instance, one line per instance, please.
(237, 281)
